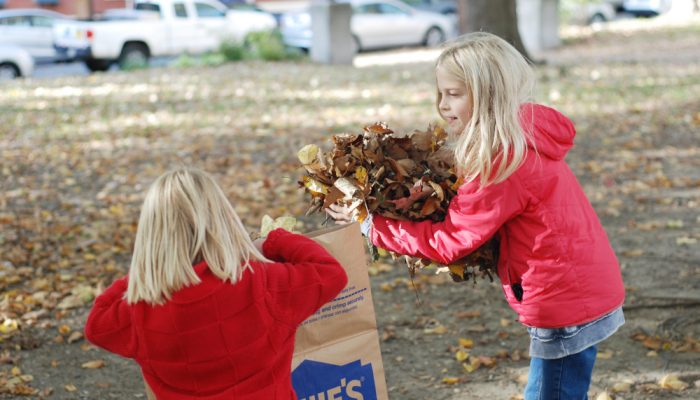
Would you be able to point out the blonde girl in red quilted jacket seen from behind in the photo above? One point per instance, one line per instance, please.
(203, 311)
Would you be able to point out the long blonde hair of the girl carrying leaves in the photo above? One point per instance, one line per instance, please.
(499, 80)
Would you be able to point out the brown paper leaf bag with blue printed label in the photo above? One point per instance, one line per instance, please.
(337, 354)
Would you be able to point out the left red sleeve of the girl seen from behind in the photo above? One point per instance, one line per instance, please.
(109, 322)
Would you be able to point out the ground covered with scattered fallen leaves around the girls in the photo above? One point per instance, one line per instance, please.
(77, 153)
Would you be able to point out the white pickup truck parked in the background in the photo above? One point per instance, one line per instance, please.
(169, 27)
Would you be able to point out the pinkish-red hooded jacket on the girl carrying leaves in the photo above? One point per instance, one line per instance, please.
(552, 242)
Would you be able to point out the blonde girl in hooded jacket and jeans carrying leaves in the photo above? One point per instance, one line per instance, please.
(556, 266)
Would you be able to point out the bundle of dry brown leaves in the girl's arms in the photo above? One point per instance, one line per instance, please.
(404, 177)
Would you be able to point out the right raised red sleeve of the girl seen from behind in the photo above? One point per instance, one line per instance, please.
(303, 278)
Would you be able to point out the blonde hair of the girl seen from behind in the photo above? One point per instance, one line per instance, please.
(186, 218)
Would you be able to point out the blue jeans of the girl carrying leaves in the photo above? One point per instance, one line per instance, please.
(566, 378)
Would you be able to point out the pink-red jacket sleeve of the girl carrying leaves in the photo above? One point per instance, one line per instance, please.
(473, 217)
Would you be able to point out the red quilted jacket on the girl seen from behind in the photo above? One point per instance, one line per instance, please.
(217, 340)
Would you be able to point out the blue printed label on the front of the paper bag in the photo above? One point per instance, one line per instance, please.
(313, 380)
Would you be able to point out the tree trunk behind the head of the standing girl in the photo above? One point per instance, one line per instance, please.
(495, 16)
